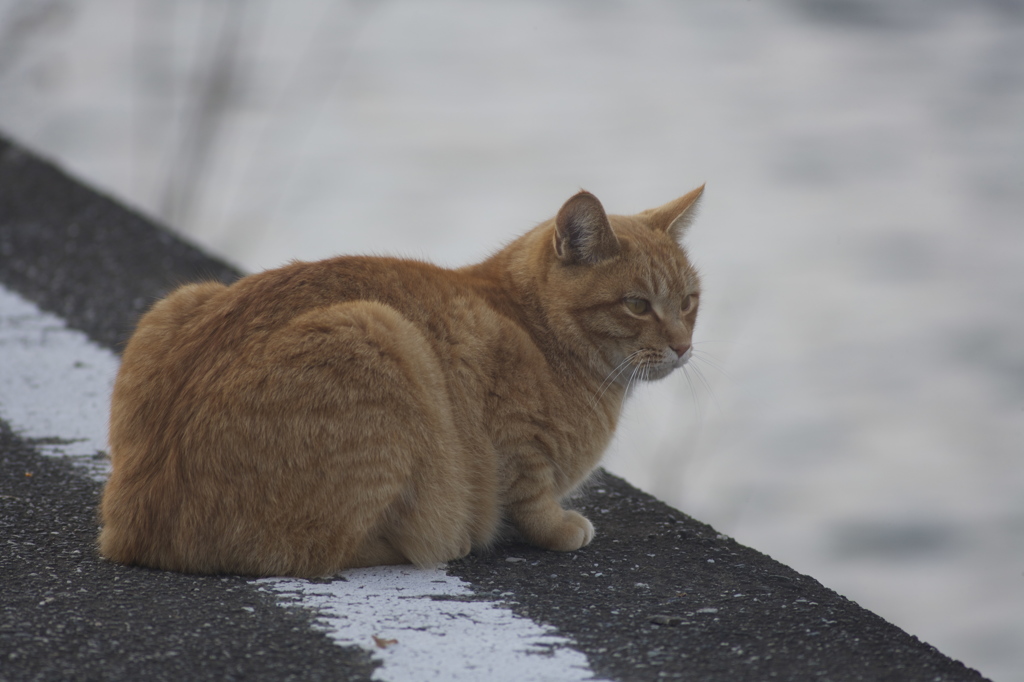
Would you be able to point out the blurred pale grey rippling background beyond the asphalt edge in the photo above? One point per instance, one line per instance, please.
(858, 410)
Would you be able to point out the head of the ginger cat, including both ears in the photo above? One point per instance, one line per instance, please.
(622, 288)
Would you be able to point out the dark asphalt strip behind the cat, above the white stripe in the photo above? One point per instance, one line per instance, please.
(82, 257)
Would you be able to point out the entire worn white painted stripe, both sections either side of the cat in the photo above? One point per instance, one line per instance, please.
(55, 392)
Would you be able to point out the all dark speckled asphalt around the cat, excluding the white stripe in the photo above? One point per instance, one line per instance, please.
(659, 595)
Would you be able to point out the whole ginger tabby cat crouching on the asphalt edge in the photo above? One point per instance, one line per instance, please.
(362, 411)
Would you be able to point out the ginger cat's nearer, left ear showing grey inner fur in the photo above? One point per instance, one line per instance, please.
(583, 234)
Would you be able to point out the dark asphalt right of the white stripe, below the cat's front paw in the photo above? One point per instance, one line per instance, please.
(659, 595)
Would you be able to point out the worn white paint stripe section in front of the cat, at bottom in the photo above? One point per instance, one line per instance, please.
(423, 624)
